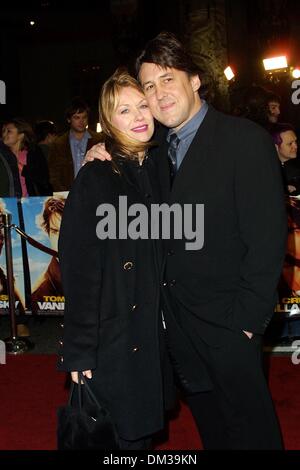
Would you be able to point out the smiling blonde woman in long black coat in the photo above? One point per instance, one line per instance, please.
(113, 329)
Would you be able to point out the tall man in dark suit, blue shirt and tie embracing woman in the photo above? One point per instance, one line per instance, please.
(218, 300)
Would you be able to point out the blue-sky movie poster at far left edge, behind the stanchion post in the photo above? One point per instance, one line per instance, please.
(9, 205)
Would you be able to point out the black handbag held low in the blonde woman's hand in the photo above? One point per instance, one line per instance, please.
(85, 425)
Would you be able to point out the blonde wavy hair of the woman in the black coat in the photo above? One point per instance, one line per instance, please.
(116, 141)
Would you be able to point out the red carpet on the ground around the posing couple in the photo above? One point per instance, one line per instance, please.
(31, 390)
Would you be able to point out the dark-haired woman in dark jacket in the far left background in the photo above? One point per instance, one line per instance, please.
(19, 148)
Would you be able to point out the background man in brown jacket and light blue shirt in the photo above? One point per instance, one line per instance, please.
(67, 151)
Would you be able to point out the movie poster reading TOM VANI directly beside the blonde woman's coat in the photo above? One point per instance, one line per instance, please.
(42, 218)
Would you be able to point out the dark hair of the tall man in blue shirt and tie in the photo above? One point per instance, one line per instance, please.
(166, 50)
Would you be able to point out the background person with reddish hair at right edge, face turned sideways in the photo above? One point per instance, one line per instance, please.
(285, 140)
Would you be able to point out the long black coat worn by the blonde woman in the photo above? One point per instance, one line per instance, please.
(112, 319)
